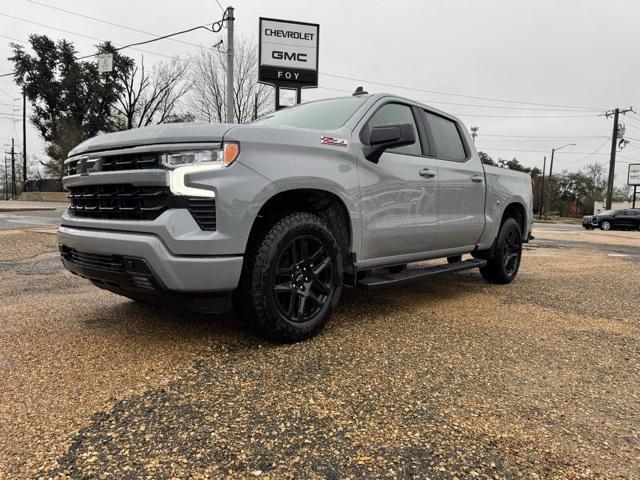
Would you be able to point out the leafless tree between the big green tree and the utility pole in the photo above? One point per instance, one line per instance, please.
(152, 98)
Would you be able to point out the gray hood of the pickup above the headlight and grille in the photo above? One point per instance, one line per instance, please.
(164, 133)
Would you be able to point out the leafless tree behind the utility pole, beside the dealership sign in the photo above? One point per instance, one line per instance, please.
(208, 74)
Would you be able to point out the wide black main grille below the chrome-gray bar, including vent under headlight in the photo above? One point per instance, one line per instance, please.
(129, 202)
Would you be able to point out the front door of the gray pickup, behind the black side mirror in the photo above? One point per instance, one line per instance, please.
(398, 194)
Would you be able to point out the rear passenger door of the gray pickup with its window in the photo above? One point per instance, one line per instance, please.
(461, 183)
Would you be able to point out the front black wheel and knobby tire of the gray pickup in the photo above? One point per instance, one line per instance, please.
(292, 279)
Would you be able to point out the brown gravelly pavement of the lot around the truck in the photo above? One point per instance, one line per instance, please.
(447, 377)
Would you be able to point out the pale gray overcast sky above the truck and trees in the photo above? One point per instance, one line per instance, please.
(579, 53)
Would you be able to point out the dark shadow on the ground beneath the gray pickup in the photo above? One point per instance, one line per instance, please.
(357, 306)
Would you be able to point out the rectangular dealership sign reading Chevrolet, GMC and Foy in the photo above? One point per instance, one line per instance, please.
(288, 53)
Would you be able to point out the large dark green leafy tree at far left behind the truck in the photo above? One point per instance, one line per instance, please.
(71, 100)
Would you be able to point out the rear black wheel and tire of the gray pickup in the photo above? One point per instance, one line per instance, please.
(503, 267)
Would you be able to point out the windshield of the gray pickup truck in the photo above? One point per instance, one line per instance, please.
(320, 115)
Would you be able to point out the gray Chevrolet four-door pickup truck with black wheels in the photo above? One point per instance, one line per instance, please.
(277, 216)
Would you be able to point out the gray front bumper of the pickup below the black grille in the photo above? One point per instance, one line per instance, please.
(167, 272)
